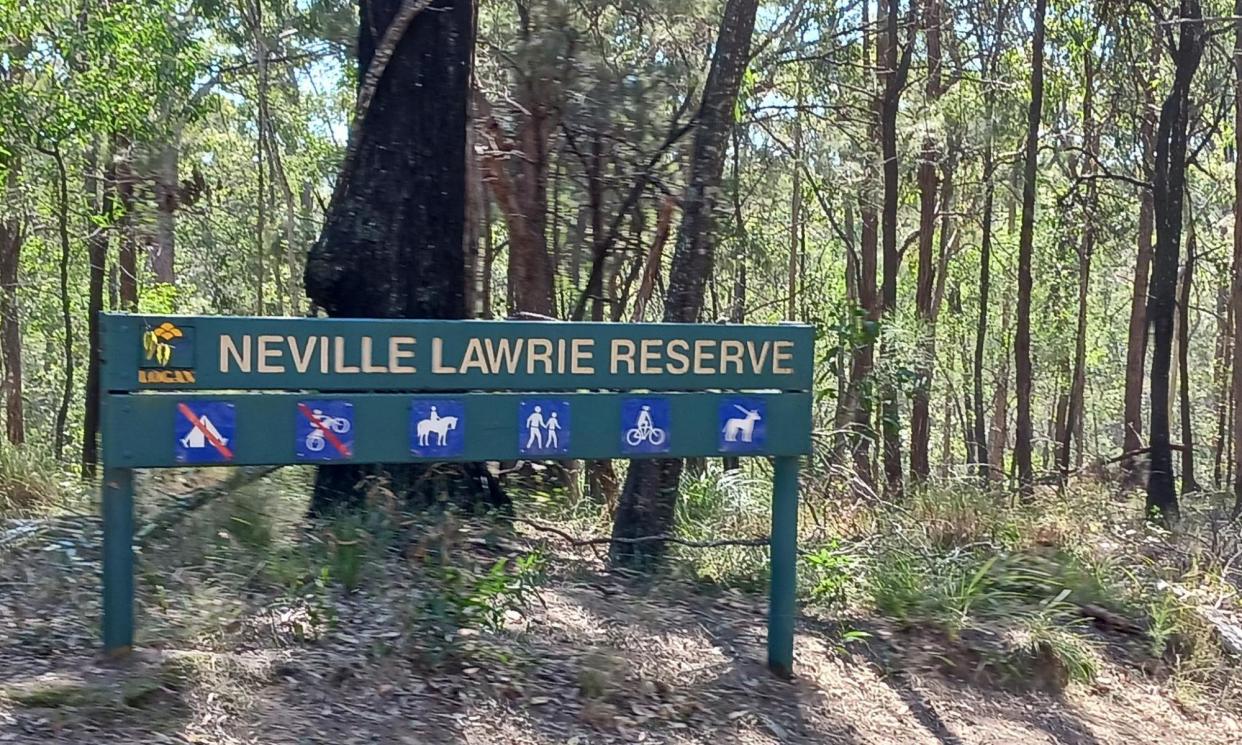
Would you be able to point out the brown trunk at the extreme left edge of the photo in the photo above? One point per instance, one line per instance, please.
(13, 238)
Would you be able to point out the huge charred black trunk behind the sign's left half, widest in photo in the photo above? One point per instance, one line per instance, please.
(392, 243)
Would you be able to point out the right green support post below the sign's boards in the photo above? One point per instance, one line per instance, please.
(784, 568)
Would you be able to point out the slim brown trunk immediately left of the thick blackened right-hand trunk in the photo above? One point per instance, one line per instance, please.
(1137, 338)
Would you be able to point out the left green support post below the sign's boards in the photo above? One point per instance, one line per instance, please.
(119, 561)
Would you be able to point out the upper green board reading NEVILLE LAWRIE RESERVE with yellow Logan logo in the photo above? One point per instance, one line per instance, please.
(343, 354)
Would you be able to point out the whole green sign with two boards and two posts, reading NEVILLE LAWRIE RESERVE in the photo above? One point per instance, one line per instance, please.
(248, 392)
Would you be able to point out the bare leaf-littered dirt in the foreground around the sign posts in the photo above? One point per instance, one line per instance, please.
(603, 661)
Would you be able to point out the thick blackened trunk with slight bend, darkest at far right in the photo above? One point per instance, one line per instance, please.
(1169, 187)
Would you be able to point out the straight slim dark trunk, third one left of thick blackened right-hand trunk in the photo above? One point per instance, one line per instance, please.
(1027, 242)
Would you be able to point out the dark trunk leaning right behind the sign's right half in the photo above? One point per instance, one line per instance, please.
(650, 495)
